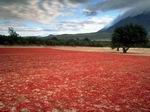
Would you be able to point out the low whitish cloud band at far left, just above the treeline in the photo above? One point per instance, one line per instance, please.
(24, 28)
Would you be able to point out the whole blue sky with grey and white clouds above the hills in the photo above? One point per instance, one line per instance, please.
(45, 17)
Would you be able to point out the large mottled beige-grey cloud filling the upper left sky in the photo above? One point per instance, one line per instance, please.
(44, 11)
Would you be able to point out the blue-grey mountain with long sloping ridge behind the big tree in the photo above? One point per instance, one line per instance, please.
(105, 34)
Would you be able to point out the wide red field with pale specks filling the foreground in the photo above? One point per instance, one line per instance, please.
(50, 80)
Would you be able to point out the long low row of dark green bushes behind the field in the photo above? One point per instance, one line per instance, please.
(9, 40)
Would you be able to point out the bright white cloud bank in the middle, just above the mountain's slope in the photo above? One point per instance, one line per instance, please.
(93, 24)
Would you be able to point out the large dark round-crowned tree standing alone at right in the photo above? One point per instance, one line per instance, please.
(127, 36)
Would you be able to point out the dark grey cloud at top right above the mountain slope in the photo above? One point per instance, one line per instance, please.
(129, 7)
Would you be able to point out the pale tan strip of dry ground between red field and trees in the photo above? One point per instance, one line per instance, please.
(131, 51)
